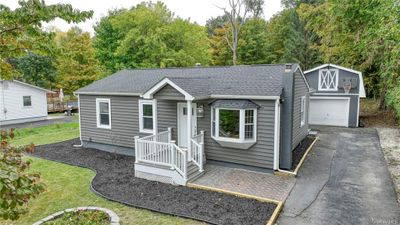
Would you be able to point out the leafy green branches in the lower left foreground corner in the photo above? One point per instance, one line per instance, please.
(17, 184)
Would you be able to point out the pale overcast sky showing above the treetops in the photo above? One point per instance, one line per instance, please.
(196, 10)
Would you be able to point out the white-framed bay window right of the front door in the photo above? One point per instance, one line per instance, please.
(234, 125)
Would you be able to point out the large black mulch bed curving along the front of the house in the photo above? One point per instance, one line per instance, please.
(115, 180)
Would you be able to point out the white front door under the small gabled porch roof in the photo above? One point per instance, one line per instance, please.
(182, 123)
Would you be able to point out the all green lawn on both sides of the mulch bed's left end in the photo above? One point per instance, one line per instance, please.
(68, 186)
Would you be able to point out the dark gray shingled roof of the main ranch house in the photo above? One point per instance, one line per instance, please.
(199, 82)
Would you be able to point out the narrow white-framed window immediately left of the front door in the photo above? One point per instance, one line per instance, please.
(147, 120)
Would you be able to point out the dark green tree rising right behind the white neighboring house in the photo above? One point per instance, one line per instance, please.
(36, 69)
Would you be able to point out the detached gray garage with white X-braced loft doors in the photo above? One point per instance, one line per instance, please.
(335, 95)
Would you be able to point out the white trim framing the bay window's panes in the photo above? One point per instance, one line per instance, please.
(241, 138)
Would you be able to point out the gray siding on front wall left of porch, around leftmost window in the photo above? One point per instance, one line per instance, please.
(124, 121)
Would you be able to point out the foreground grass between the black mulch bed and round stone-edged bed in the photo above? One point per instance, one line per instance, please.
(68, 186)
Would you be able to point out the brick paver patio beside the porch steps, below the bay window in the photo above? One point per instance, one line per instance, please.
(259, 184)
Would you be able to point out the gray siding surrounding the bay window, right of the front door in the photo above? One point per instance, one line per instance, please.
(261, 154)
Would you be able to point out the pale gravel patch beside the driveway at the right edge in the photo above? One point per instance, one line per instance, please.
(390, 144)
